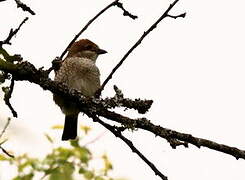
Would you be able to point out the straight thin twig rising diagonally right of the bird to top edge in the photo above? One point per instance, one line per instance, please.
(153, 26)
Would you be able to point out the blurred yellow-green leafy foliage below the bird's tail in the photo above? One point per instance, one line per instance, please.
(62, 163)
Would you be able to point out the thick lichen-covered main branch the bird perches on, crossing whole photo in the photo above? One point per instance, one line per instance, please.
(26, 71)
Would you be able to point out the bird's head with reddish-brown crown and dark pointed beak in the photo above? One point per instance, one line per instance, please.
(86, 49)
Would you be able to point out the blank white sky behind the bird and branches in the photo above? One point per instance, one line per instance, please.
(193, 69)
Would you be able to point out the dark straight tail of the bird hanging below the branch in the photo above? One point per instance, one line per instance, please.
(70, 127)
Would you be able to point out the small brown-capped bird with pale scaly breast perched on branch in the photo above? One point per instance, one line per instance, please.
(78, 71)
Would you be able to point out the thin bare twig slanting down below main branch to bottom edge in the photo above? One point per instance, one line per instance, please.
(118, 133)
